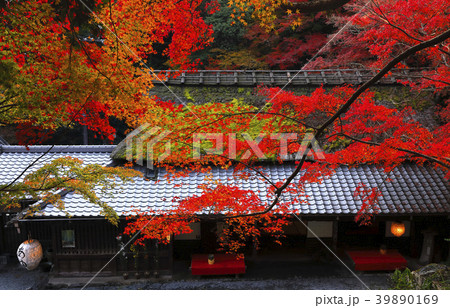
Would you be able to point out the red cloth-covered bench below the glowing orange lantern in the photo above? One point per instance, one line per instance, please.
(373, 260)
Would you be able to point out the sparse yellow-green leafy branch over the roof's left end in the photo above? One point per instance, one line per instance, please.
(50, 182)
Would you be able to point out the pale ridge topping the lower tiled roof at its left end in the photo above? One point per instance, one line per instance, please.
(56, 149)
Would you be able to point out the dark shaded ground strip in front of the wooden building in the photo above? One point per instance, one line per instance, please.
(262, 274)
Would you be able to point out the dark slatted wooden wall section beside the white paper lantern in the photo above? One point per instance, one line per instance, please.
(96, 243)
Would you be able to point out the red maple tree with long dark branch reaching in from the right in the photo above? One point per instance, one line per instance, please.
(369, 132)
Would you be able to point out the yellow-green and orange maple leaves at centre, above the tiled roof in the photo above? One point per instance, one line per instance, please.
(183, 128)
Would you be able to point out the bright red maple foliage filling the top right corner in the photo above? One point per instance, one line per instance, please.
(383, 29)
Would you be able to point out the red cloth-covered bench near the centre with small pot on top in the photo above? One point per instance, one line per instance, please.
(224, 264)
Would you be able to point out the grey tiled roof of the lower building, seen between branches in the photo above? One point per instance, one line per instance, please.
(412, 190)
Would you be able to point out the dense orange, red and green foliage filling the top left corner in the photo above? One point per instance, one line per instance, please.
(58, 77)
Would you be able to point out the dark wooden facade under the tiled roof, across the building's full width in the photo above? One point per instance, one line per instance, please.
(96, 242)
